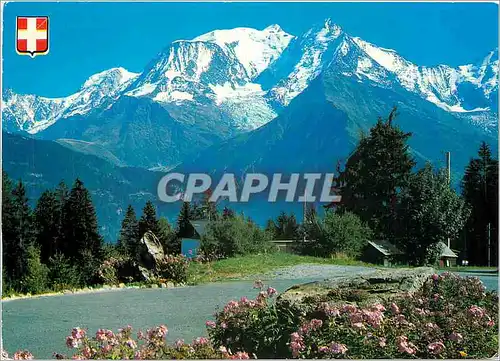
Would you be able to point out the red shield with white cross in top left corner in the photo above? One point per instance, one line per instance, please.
(32, 35)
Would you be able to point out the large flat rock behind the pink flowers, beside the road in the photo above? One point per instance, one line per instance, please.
(379, 285)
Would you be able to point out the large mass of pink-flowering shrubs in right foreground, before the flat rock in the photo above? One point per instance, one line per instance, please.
(449, 317)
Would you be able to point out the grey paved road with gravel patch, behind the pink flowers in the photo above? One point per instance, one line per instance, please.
(41, 325)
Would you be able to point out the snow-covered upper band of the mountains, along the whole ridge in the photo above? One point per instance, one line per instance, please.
(226, 67)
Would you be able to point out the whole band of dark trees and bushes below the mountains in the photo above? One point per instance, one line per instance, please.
(57, 244)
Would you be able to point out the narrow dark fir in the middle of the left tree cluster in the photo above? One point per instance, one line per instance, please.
(47, 224)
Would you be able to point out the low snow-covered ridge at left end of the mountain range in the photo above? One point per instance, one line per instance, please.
(33, 113)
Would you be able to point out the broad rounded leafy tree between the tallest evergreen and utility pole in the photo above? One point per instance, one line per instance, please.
(428, 212)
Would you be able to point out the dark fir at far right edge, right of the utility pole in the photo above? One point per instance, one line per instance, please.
(480, 190)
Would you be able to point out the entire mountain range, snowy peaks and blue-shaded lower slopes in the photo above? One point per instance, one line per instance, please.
(245, 100)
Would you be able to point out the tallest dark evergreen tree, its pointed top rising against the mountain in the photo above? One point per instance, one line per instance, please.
(375, 173)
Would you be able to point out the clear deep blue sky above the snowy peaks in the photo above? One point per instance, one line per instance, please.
(87, 38)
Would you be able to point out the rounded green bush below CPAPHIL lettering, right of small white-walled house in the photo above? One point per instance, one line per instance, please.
(235, 236)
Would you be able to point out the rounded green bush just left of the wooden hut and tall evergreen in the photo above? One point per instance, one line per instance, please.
(335, 234)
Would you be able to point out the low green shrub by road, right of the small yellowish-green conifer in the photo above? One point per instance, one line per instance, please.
(62, 274)
